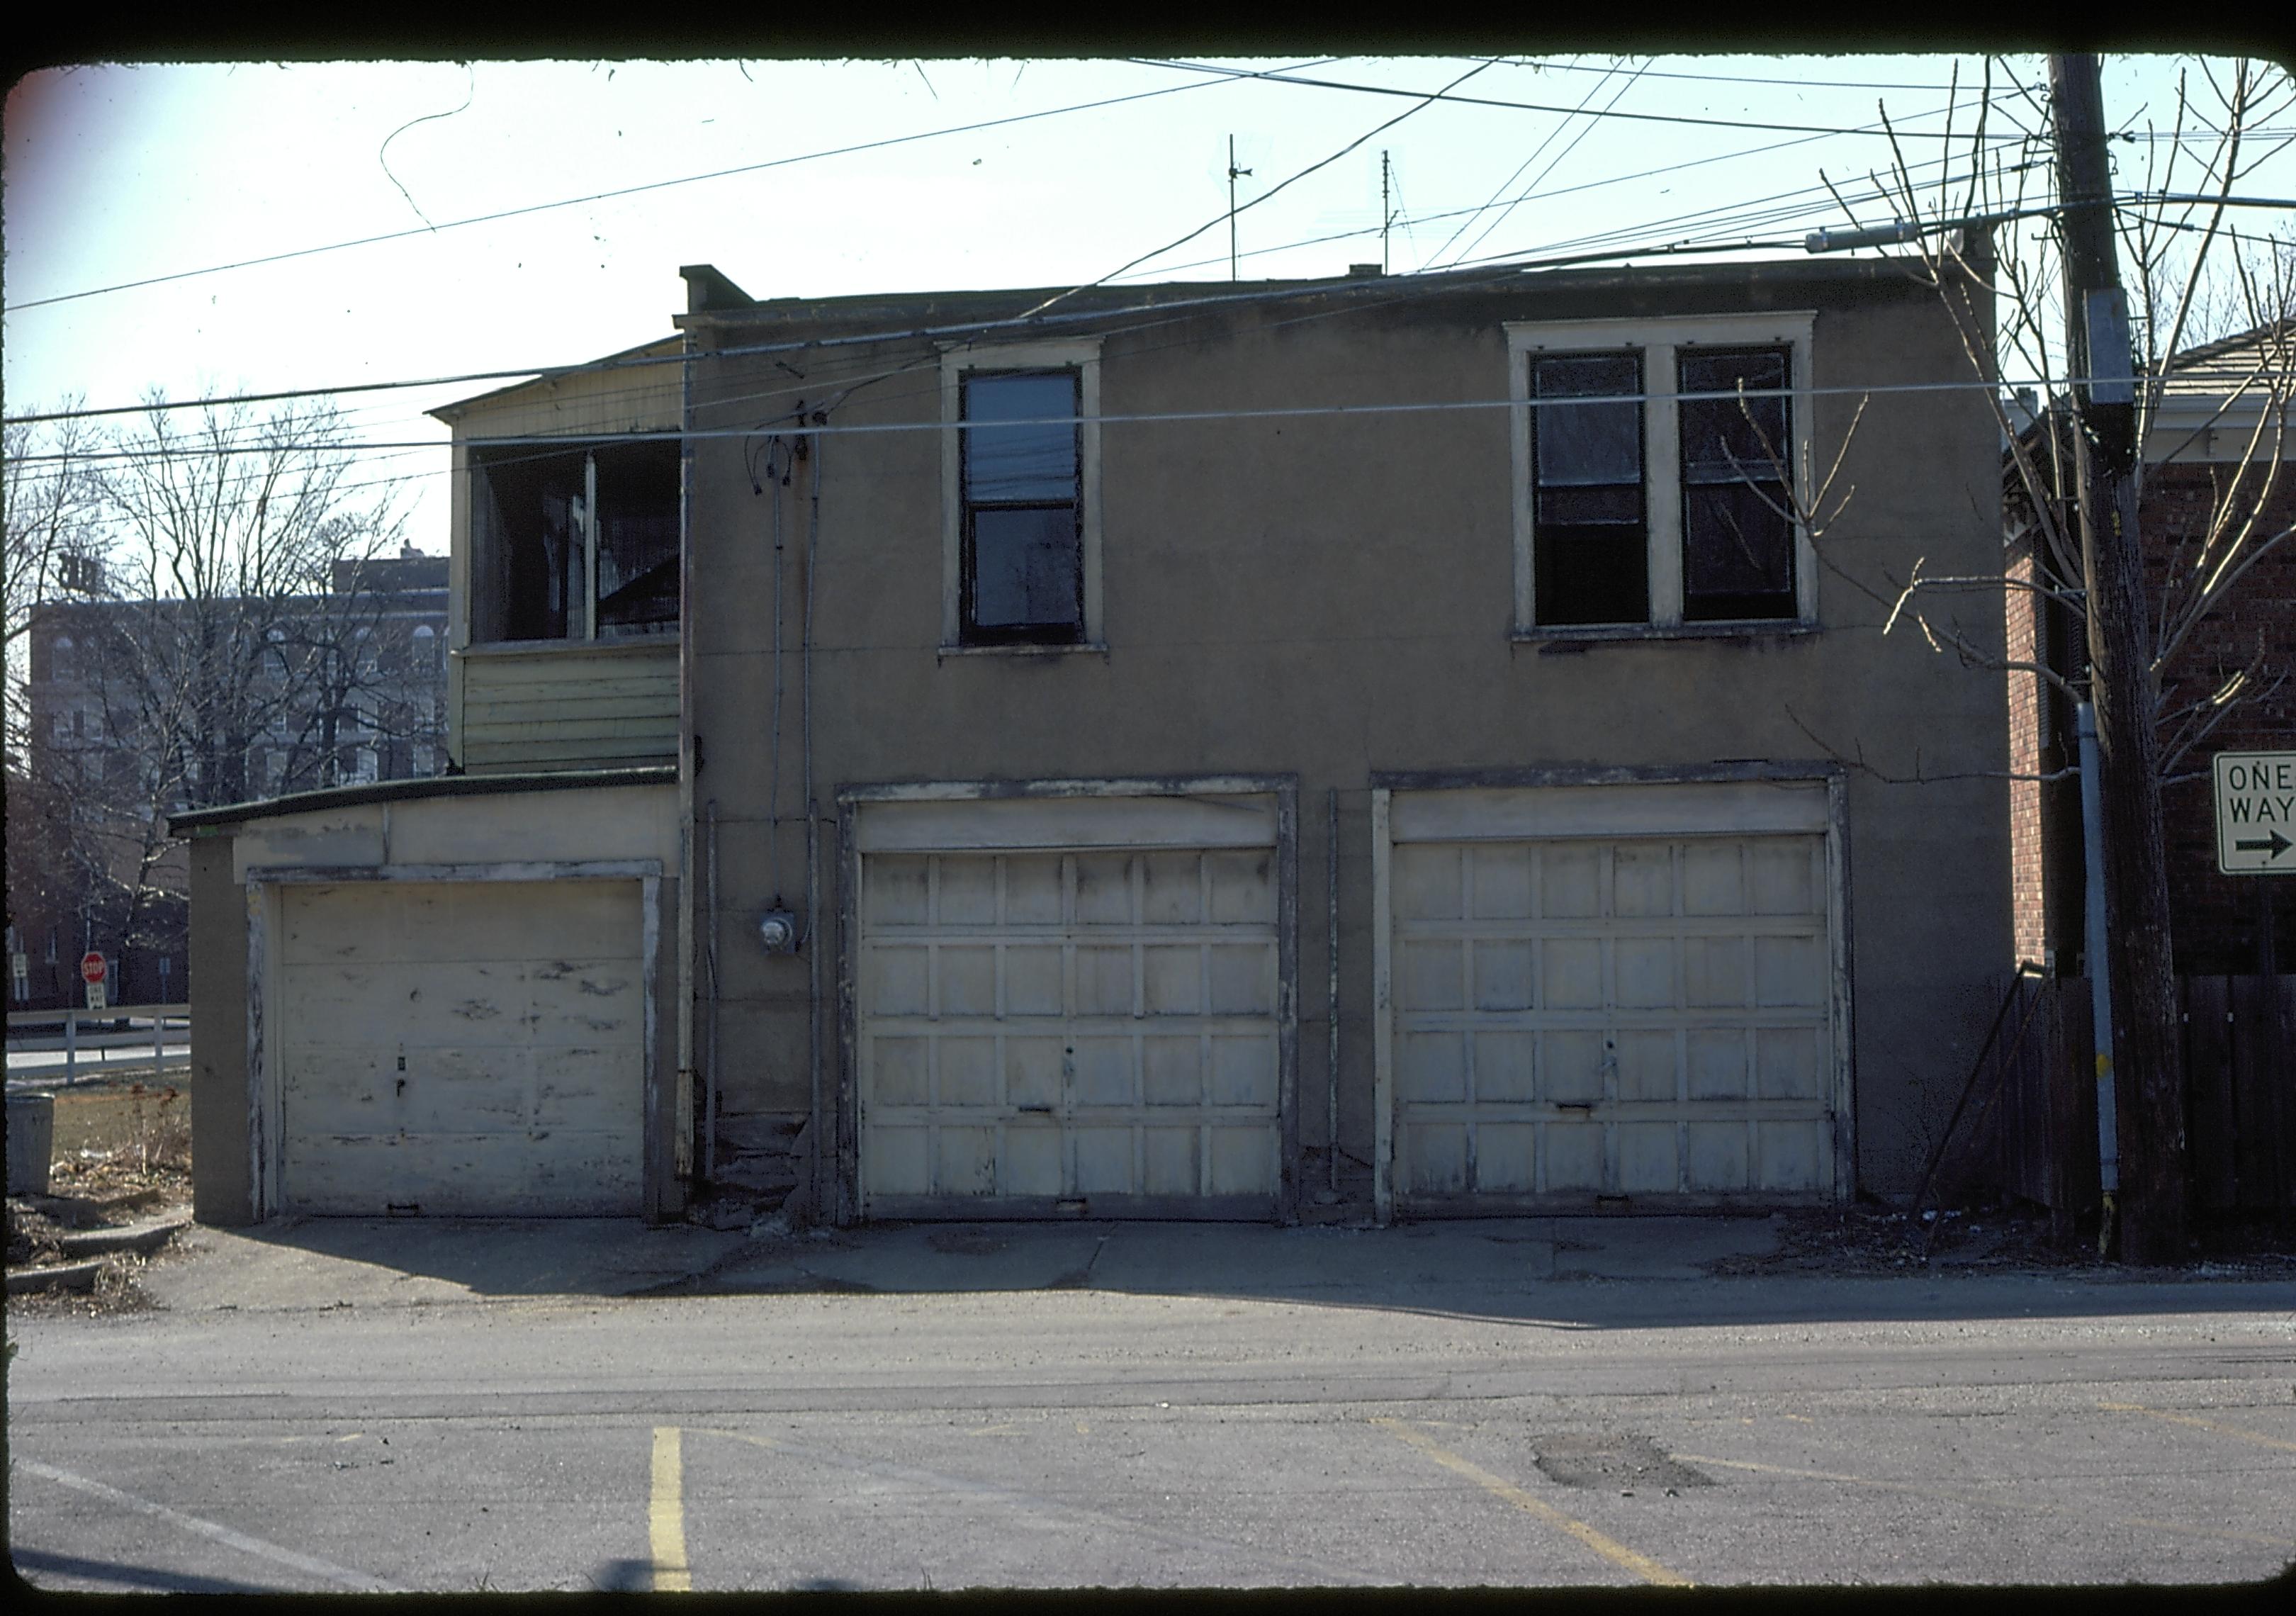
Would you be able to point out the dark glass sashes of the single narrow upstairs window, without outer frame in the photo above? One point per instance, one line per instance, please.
(1023, 557)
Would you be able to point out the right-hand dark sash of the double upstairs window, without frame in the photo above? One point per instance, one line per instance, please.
(1737, 453)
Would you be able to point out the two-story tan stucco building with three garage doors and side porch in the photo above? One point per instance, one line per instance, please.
(1184, 752)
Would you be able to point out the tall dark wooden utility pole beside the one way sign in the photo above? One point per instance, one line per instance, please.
(2146, 1052)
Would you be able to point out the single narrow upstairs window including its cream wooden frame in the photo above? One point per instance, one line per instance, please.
(1023, 497)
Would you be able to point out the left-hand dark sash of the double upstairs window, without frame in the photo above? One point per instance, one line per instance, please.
(1592, 527)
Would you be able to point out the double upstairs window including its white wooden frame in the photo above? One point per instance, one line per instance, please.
(1645, 506)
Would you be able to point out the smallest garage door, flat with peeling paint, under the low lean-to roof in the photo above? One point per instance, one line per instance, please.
(463, 1048)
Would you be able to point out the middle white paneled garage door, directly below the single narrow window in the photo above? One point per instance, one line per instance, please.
(1069, 1009)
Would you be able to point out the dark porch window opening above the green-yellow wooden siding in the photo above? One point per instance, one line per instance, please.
(575, 545)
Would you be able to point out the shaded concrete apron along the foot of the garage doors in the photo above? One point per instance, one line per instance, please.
(318, 1264)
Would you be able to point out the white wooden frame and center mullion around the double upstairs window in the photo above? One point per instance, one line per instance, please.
(1659, 343)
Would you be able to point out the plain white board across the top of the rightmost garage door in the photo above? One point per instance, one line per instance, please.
(1611, 811)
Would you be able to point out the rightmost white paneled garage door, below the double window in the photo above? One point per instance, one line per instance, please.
(1613, 993)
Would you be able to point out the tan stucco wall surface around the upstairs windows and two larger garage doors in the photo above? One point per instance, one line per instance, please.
(1333, 598)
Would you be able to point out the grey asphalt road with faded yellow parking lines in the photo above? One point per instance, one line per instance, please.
(1613, 1434)
